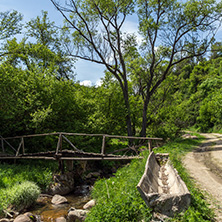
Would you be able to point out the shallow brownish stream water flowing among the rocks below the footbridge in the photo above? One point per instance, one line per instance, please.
(47, 212)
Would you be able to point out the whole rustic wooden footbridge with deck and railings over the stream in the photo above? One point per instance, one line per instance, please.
(9, 151)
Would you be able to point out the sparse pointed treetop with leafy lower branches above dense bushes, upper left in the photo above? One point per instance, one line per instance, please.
(45, 49)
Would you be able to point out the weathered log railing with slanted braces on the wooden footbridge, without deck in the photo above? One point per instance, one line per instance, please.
(63, 136)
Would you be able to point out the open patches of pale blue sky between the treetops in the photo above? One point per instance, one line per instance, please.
(87, 73)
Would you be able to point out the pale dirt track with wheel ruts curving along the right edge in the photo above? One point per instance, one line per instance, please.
(205, 166)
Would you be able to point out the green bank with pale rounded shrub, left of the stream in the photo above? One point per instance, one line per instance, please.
(20, 184)
